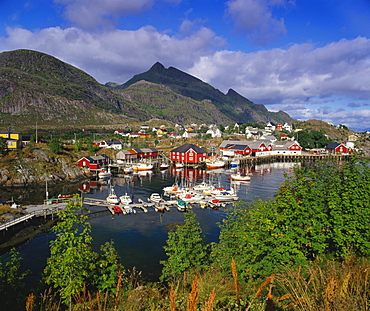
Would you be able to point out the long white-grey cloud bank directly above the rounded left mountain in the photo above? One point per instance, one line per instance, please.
(114, 55)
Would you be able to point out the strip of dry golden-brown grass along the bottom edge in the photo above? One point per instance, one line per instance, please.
(323, 286)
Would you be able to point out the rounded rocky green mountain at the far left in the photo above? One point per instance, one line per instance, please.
(38, 86)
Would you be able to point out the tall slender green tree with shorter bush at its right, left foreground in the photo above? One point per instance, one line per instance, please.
(72, 263)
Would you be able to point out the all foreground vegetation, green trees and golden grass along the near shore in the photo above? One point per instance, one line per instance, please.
(305, 249)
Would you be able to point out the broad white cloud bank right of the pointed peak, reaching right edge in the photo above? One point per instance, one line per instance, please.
(301, 71)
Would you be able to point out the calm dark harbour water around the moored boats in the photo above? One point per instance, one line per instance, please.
(139, 238)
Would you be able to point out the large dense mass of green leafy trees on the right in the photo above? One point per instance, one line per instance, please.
(321, 210)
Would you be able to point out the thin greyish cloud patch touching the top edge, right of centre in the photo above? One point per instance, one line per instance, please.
(253, 18)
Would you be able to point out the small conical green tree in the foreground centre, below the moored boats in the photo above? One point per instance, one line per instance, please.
(186, 249)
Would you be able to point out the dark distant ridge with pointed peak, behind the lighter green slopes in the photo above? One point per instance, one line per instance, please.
(233, 105)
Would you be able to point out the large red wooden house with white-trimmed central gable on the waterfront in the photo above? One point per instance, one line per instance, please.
(188, 154)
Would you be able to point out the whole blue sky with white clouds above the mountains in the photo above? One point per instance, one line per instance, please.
(309, 58)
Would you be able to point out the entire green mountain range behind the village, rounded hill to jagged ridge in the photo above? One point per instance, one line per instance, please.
(36, 87)
